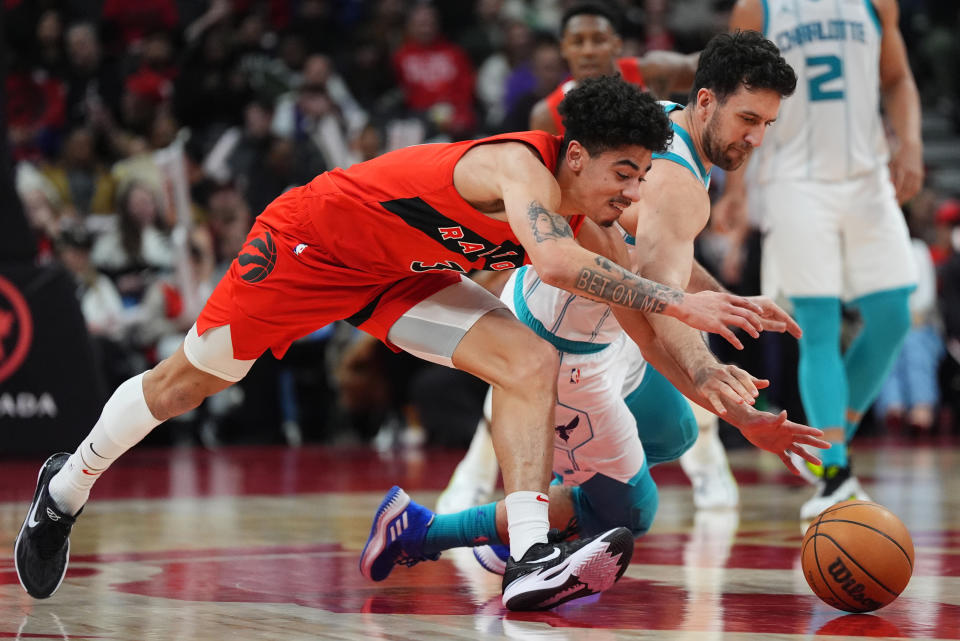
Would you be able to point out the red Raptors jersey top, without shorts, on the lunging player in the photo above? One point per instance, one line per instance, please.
(400, 214)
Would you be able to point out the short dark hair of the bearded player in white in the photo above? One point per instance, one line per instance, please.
(744, 57)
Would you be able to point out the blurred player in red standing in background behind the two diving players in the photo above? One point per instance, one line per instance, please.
(590, 43)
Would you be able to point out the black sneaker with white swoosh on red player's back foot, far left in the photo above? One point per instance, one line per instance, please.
(42, 550)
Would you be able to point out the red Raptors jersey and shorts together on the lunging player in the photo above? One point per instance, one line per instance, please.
(364, 245)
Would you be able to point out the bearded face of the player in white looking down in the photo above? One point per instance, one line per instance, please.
(737, 126)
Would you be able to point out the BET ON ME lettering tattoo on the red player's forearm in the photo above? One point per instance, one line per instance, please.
(614, 285)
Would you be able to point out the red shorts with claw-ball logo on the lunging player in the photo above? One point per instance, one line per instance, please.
(283, 286)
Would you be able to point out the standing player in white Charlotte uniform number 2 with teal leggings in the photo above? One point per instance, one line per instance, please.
(834, 233)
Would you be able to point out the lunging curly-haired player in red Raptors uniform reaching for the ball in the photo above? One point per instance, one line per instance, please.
(385, 244)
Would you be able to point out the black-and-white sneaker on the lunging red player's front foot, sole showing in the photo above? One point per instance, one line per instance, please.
(553, 573)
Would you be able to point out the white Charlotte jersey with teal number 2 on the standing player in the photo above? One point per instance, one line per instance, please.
(830, 129)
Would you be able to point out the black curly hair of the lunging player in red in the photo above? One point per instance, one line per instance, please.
(608, 113)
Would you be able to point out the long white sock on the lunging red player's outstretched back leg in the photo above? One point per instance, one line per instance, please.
(124, 422)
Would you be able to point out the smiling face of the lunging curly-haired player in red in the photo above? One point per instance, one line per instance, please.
(611, 182)
